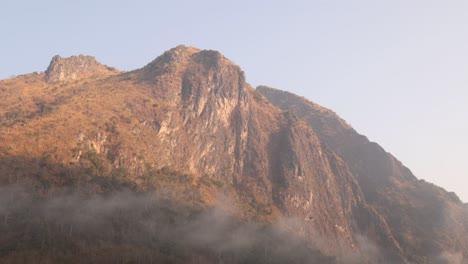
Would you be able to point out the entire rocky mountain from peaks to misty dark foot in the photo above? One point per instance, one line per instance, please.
(182, 161)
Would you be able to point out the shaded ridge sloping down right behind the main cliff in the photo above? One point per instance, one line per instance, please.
(426, 220)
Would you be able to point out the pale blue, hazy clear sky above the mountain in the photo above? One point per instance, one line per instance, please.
(397, 70)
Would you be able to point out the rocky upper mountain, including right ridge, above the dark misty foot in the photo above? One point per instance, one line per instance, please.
(189, 126)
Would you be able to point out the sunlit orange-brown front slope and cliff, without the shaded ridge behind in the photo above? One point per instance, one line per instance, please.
(188, 111)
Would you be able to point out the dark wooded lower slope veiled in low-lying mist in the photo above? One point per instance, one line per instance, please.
(129, 227)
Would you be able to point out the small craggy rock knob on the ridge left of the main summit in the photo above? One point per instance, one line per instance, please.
(74, 67)
